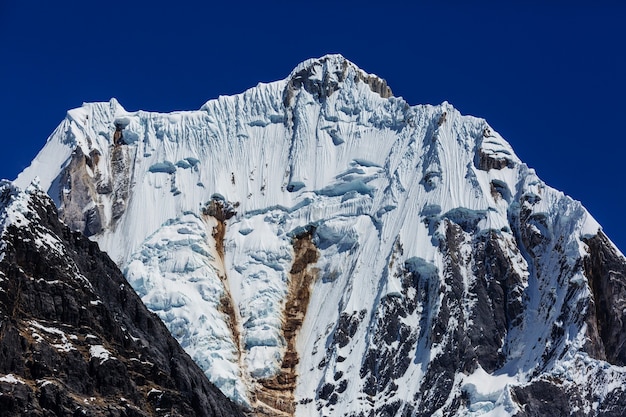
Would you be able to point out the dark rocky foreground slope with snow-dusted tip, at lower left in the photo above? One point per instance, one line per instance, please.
(75, 339)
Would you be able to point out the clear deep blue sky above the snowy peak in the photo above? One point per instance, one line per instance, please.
(549, 78)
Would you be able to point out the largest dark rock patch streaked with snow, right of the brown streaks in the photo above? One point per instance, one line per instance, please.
(465, 324)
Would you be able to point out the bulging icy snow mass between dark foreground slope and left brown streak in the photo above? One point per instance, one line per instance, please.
(175, 274)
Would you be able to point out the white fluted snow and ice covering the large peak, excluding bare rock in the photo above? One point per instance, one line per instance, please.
(373, 175)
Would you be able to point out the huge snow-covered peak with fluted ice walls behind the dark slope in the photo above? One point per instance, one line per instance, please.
(320, 247)
